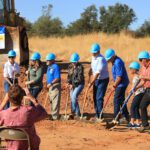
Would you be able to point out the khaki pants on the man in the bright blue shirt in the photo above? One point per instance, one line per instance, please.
(54, 97)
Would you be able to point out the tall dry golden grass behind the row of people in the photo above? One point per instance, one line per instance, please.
(125, 46)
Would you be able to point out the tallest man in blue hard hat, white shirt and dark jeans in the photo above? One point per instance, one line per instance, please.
(100, 79)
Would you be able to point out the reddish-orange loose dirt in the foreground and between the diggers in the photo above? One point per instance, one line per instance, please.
(77, 135)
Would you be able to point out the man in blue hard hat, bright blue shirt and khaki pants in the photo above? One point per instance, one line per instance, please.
(53, 80)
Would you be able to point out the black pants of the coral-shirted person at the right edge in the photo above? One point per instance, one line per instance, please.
(143, 106)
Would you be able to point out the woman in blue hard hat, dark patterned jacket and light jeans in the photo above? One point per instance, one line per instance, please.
(75, 82)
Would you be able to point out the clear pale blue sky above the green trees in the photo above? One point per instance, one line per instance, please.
(69, 10)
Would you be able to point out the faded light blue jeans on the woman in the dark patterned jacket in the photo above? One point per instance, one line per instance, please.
(74, 93)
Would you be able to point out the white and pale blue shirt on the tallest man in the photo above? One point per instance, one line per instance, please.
(99, 65)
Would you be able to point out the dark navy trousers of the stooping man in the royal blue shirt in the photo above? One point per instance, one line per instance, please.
(119, 98)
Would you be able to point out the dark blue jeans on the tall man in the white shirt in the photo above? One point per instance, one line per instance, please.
(99, 90)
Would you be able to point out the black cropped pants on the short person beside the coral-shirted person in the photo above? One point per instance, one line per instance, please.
(135, 106)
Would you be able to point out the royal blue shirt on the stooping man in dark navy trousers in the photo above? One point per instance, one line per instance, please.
(119, 70)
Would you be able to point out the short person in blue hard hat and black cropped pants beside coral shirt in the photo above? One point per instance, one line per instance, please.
(135, 121)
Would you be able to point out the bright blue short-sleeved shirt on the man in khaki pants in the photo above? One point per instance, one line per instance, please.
(53, 72)
